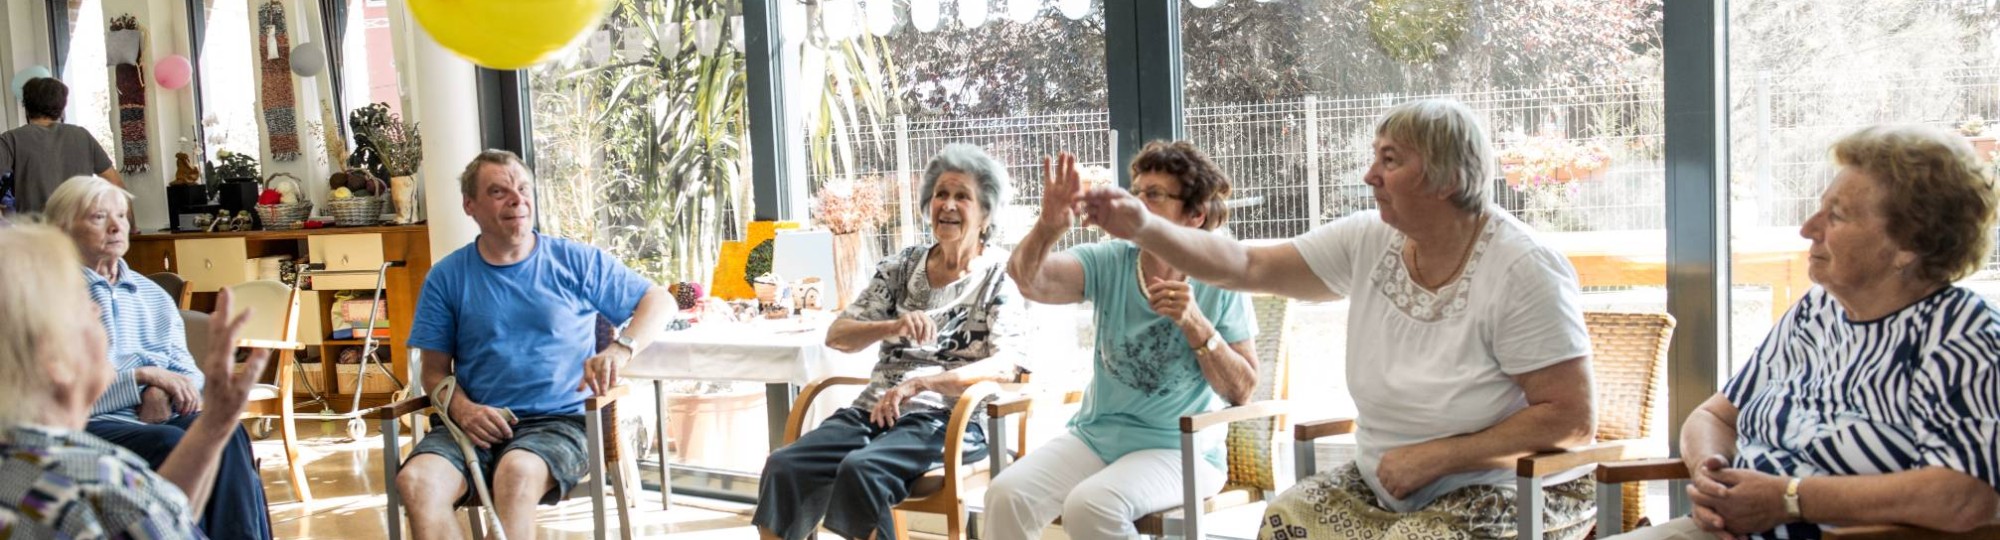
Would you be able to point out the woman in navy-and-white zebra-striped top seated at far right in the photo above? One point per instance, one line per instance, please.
(1877, 399)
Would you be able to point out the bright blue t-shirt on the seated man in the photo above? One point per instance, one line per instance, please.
(521, 333)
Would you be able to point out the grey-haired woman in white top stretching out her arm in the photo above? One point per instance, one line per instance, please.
(1467, 347)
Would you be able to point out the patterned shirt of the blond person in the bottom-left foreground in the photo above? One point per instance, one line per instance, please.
(75, 485)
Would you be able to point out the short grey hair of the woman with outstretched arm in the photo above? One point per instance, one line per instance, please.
(1453, 145)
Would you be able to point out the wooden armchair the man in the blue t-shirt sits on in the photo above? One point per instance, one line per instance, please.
(613, 463)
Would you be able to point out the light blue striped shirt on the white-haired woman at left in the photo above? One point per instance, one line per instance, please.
(145, 333)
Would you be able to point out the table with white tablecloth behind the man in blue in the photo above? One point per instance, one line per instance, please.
(779, 353)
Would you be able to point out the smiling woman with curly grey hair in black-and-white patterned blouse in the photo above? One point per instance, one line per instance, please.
(945, 317)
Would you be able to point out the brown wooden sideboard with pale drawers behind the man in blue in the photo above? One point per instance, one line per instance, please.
(211, 261)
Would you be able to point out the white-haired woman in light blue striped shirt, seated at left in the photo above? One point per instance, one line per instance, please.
(157, 391)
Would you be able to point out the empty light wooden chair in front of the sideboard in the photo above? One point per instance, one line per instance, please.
(275, 329)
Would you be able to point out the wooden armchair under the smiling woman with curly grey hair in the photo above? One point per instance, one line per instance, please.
(945, 491)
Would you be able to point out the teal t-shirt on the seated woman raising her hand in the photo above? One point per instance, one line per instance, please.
(1145, 375)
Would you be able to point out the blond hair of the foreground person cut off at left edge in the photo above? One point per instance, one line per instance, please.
(37, 299)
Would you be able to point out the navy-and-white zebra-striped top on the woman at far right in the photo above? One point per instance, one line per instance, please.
(1829, 397)
